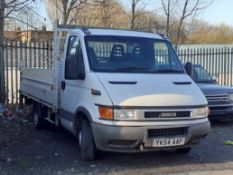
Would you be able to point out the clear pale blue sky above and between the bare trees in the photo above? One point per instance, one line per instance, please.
(220, 11)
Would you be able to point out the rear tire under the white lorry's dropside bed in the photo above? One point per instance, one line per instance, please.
(38, 119)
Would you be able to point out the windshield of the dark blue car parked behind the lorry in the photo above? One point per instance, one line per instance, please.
(200, 75)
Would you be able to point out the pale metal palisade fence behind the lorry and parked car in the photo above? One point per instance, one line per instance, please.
(218, 61)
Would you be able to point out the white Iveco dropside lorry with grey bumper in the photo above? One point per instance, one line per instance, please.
(117, 90)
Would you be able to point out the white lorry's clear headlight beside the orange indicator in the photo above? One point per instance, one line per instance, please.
(125, 114)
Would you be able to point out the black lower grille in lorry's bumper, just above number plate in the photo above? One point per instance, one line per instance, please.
(166, 132)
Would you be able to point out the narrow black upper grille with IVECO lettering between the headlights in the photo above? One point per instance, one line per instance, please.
(170, 114)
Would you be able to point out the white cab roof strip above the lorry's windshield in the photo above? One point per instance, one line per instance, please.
(115, 32)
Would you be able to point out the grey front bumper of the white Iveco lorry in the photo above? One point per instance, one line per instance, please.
(132, 138)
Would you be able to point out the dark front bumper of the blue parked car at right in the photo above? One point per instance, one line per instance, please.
(221, 112)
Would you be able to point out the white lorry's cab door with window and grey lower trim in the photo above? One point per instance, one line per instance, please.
(72, 84)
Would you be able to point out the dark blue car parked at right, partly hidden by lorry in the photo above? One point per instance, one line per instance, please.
(220, 98)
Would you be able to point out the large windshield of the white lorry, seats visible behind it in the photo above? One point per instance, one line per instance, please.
(131, 54)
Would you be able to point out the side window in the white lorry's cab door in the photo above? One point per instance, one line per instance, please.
(74, 65)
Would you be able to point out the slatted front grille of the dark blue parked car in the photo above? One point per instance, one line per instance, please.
(217, 99)
